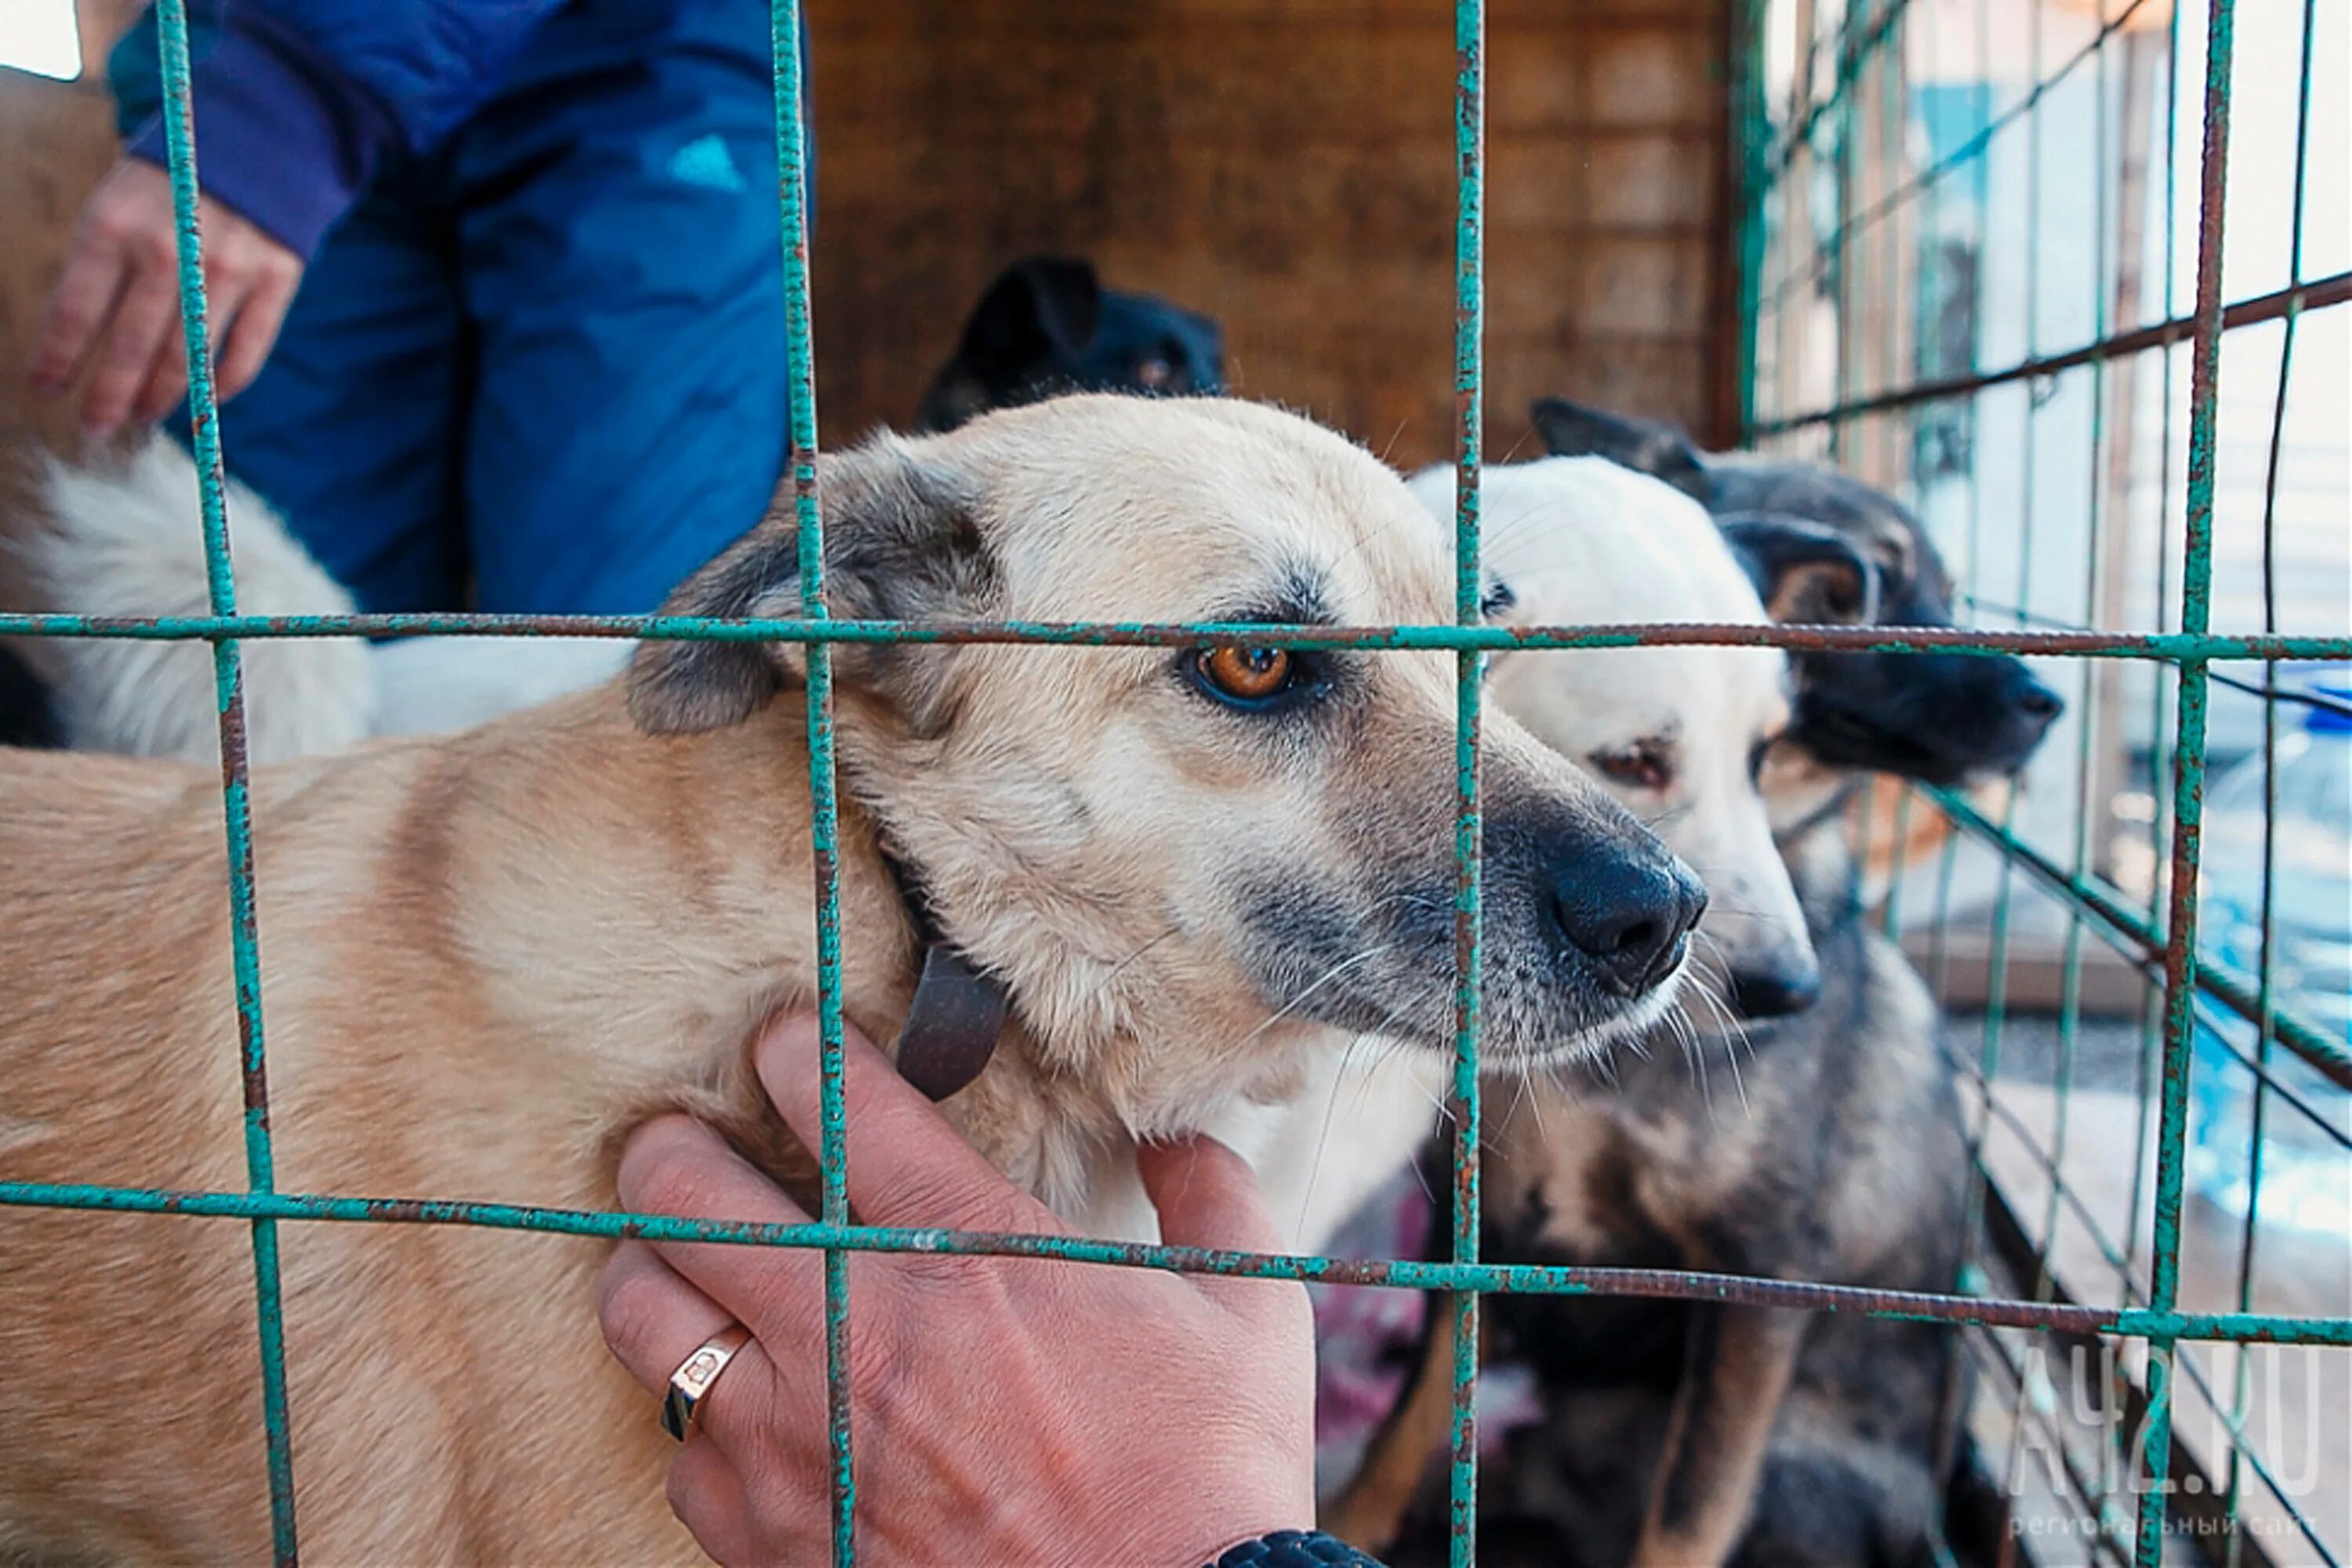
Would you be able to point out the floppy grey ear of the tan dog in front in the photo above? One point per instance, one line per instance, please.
(902, 544)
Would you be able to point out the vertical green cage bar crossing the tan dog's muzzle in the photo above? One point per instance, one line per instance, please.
(1469, 598)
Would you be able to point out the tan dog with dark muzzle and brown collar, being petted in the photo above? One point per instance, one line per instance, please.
(488, 958)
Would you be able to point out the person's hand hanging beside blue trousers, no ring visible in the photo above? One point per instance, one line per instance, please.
(116, 304)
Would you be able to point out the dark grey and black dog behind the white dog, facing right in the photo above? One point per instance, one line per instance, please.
(1829, 1146)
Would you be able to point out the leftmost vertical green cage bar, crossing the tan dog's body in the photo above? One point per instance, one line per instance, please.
(236, 803)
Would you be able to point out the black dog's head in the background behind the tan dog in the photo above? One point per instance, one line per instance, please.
(1048, 326)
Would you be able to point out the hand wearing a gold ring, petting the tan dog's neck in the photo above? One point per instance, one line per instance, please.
(1003, 1409)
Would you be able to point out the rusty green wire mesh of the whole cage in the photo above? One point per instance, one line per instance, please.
(1838, 133)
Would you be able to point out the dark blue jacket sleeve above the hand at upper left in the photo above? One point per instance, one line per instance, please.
(300, 100)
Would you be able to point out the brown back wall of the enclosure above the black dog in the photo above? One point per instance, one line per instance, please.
(1290, 168)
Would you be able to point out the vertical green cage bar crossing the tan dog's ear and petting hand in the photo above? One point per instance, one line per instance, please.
(824, 808)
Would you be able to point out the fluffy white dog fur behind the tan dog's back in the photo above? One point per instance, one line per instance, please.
(128, 542)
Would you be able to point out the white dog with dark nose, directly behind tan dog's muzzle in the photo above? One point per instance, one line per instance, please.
(1673, 732)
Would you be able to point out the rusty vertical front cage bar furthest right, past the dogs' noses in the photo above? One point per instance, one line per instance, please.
(2189, 775)
